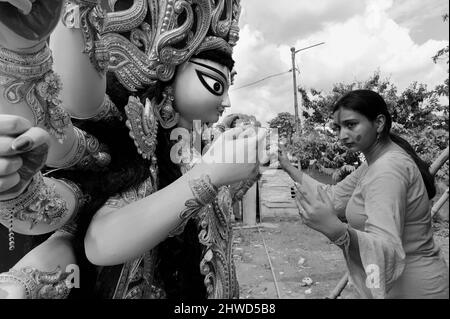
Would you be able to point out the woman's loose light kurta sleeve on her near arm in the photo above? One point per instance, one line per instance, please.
(380, 244)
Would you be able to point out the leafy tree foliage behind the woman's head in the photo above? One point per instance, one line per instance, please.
(417, 115)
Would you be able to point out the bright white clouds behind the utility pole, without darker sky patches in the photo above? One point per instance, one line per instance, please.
(360, 44)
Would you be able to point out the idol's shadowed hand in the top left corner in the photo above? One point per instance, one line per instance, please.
(26, 24)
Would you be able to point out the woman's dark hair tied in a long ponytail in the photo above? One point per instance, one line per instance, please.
(371, 104)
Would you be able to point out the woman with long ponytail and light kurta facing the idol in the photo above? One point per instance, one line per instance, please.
(388, 242)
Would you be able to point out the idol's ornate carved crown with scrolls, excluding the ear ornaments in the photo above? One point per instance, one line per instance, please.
(144, 42)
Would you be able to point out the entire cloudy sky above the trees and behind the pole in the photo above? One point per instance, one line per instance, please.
(398, 38)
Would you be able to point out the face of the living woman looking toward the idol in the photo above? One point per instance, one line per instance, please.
(355, 130)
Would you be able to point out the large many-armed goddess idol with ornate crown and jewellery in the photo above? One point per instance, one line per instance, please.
(161, 226)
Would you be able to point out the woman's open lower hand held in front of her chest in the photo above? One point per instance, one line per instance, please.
(319, 213)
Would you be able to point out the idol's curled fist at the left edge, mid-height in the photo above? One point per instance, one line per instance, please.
(23, 152)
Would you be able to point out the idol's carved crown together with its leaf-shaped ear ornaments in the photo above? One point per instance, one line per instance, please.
(143, 41)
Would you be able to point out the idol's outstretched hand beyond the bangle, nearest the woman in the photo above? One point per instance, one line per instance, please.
(234, 156)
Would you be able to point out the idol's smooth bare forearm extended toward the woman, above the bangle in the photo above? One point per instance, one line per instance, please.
(123, 234)
